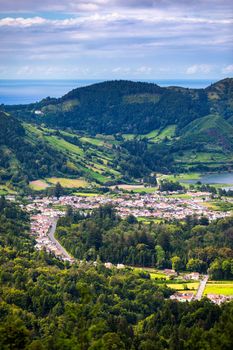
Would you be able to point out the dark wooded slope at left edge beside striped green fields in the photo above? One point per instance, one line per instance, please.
(25, 157)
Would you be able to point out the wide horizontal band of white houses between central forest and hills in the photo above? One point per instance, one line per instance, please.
(155, 205)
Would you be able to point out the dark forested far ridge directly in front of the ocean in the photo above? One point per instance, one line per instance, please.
(129, 107)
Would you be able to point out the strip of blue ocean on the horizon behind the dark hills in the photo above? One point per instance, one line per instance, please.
(28, 91)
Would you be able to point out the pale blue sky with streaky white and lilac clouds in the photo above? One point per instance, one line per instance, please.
(116, 39)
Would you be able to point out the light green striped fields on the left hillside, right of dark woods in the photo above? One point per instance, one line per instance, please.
(93, 157)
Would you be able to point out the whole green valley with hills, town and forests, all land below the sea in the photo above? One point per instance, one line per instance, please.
(119, 209)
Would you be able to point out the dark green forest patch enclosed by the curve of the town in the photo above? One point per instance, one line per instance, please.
(195, 245)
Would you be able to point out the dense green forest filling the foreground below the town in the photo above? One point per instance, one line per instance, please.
(46, 304)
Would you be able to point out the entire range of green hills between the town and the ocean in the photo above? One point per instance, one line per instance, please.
(118, 131)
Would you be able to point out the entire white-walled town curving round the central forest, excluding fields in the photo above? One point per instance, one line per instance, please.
(44, 213)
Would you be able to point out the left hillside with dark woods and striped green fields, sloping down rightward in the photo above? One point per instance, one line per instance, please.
(31, 152)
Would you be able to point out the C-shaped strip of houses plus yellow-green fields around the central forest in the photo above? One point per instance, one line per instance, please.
(45, 213)
